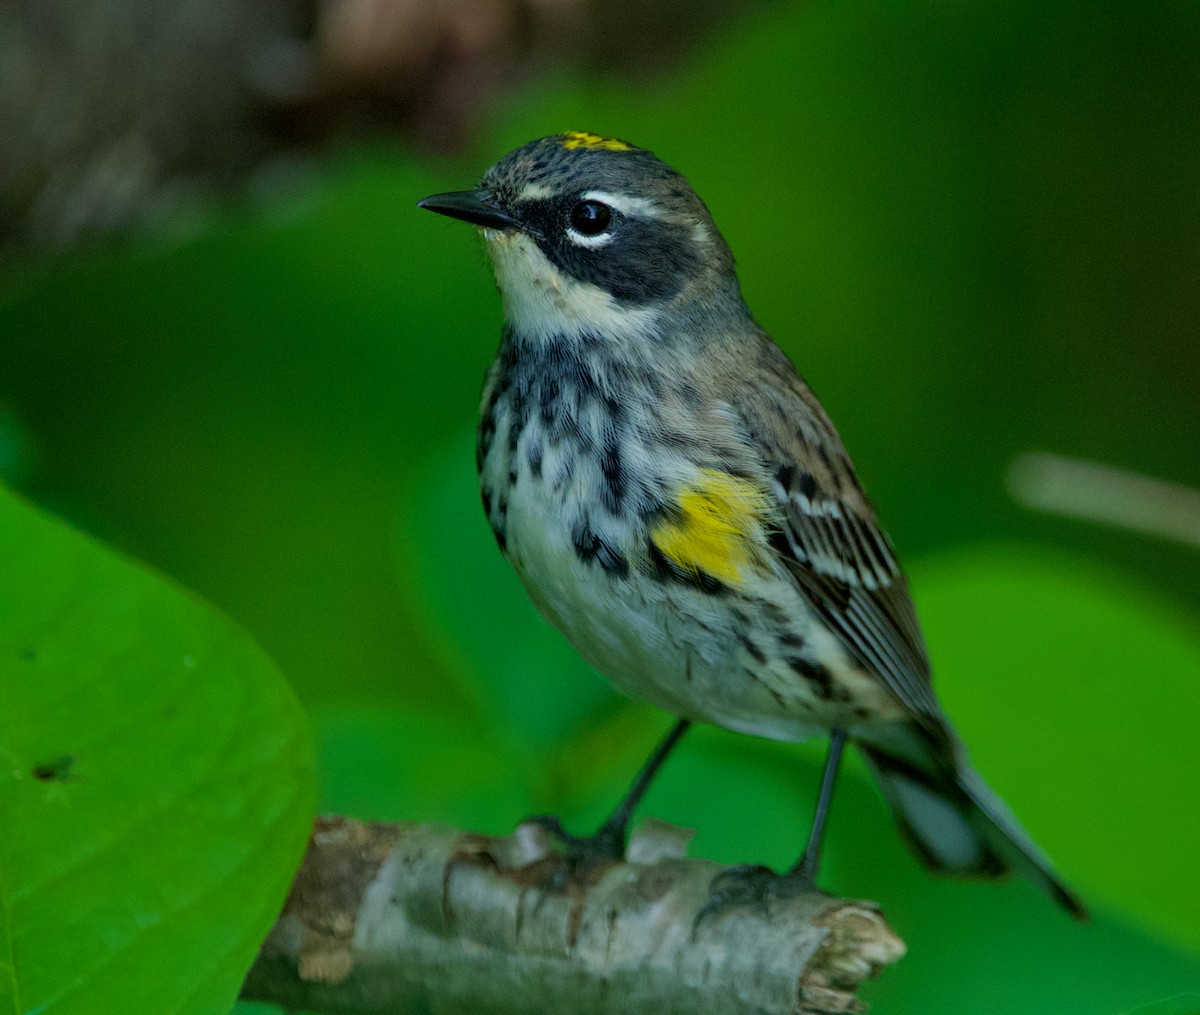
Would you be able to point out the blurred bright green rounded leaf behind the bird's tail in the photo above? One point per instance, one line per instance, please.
(1077, 690)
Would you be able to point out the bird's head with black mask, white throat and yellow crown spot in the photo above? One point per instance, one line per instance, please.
(591, 235)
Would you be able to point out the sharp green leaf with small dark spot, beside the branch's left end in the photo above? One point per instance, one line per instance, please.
(155, 784)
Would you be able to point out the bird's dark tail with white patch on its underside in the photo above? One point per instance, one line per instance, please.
(961, 827)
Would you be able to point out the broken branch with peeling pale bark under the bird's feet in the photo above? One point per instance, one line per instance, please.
(423, 918)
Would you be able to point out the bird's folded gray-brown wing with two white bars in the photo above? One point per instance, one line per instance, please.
(832, 544)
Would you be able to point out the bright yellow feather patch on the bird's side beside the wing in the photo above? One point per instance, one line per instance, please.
(716, 528)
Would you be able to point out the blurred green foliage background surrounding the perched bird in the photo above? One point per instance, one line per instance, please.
(977, 231)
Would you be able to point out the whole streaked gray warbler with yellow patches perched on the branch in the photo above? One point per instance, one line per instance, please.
(679, 505)
